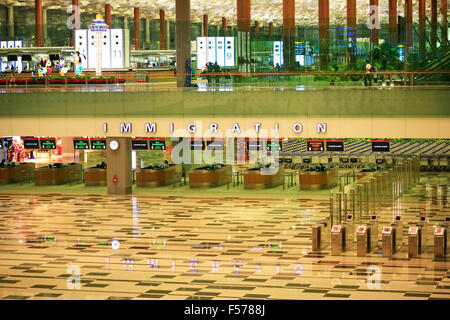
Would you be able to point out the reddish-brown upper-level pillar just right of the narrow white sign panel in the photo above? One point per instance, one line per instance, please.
(289, 34)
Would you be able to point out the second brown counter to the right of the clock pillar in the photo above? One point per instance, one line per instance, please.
(210, 176)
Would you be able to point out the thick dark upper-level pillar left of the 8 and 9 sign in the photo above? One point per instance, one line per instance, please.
(183, 38)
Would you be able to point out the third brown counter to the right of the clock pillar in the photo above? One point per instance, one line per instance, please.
(255, 179)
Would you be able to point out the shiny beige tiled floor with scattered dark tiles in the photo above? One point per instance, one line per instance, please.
(187, 247)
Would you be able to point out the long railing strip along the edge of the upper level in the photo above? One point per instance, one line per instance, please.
(166, 80)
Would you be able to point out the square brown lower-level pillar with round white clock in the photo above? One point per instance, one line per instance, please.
(118, 171)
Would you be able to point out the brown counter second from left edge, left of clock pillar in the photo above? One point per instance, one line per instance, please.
(58, 174)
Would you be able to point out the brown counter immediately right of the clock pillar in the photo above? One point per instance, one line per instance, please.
(156, 176)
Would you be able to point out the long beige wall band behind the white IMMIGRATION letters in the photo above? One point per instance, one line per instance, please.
(336, 127)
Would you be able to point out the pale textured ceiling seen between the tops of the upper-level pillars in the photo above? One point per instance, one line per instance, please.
(263, 11)
